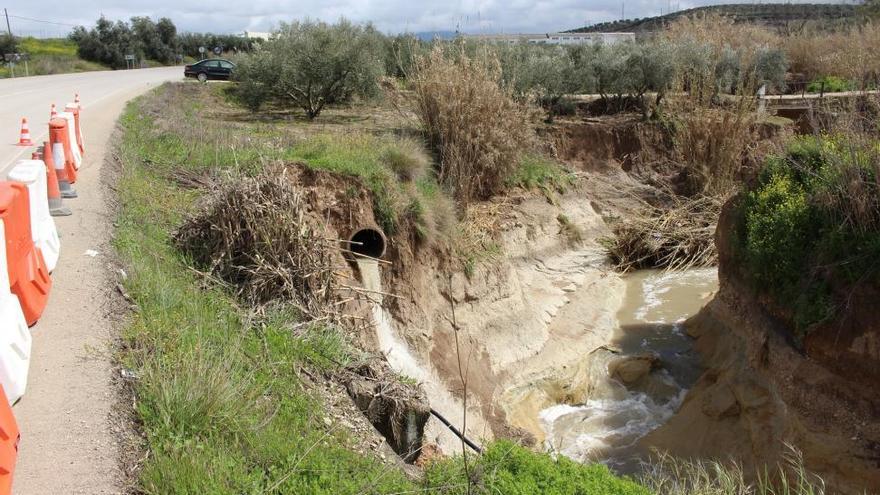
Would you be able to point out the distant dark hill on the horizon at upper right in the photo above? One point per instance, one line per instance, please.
(773, 15)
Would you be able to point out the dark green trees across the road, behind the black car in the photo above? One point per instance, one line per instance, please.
(109, 42)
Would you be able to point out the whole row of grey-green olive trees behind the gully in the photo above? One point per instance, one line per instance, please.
(310, 64)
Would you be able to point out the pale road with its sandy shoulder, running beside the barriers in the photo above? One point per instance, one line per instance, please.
(69, 440)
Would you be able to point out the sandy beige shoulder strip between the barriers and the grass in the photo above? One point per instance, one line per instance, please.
(68, 439)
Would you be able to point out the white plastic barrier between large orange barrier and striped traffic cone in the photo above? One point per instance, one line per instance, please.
(33, 174)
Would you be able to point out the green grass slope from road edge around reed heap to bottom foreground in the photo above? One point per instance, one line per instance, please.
(219, 394)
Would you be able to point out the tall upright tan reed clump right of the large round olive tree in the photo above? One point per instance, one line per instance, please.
(473, 122)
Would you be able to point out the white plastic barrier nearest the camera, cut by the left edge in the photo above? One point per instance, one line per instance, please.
(15, 338)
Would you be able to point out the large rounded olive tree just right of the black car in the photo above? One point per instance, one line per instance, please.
(311, 64)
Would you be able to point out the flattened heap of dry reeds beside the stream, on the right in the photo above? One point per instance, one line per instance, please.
(676, 236)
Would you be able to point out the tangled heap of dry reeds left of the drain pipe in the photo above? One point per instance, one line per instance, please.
(252, 233)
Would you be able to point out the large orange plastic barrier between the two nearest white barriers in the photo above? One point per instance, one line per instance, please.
(28, 274)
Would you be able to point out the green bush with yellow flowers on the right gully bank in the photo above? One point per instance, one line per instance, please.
(813, 221)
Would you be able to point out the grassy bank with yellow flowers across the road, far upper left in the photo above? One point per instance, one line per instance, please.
(50, 56)
